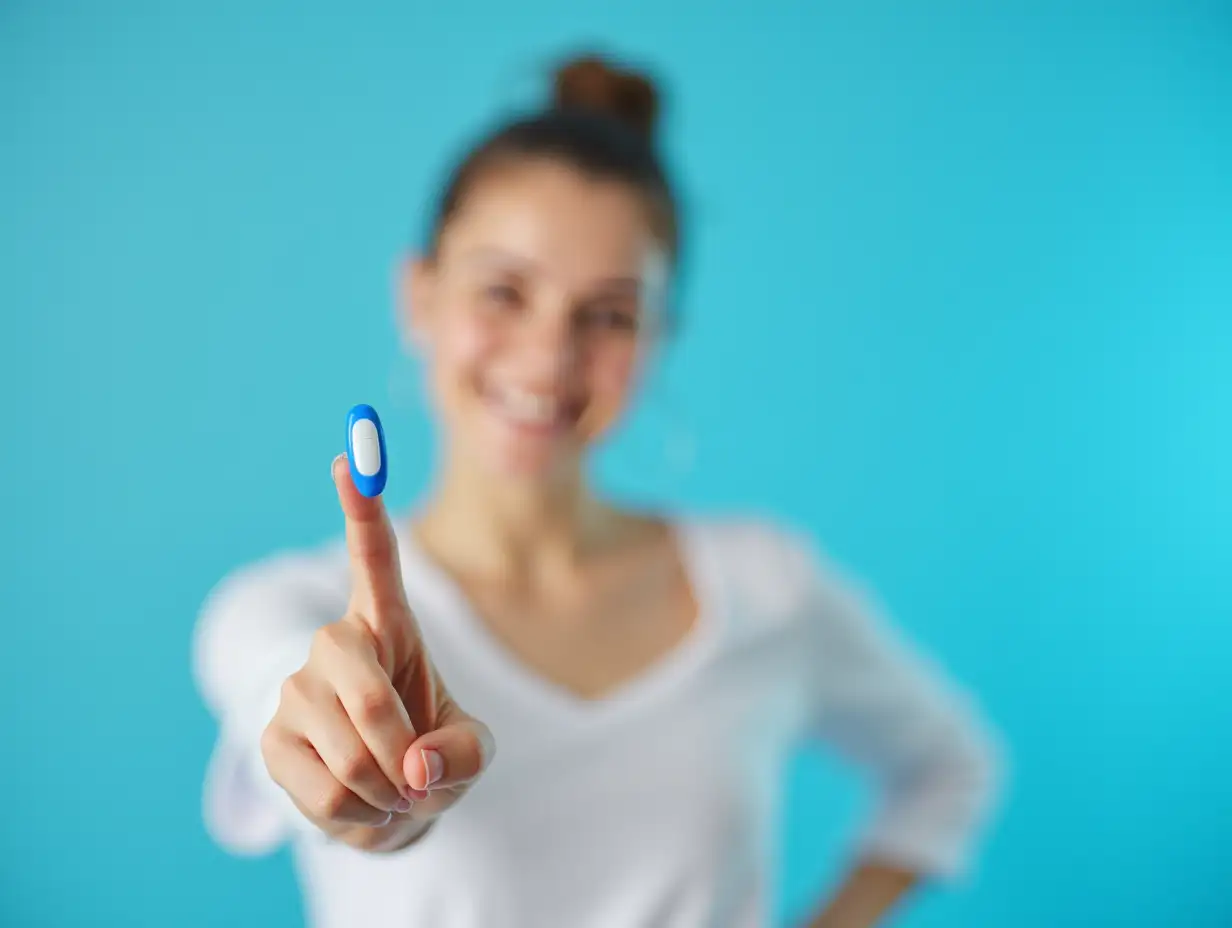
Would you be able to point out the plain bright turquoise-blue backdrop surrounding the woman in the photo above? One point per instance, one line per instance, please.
(959, 303)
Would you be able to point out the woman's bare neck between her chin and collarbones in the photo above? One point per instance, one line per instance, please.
(488, 526)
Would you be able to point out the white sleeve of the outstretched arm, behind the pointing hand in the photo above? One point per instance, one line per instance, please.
(254, 630)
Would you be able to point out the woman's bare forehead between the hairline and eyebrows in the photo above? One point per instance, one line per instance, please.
(555, 221)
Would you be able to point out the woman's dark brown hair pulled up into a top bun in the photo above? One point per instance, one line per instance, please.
(602, 121)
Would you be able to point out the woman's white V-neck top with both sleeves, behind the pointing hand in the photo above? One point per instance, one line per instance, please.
(655, 807)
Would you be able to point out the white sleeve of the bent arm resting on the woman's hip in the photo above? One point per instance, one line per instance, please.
(889, 708)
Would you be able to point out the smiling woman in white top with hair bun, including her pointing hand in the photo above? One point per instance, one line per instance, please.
(645, 677)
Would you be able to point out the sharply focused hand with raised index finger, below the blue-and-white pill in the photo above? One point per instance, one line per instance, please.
(367, 740)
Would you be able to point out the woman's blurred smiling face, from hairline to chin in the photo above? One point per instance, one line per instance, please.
(537, 315)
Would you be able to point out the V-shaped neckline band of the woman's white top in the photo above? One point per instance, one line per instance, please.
(426, 576)
